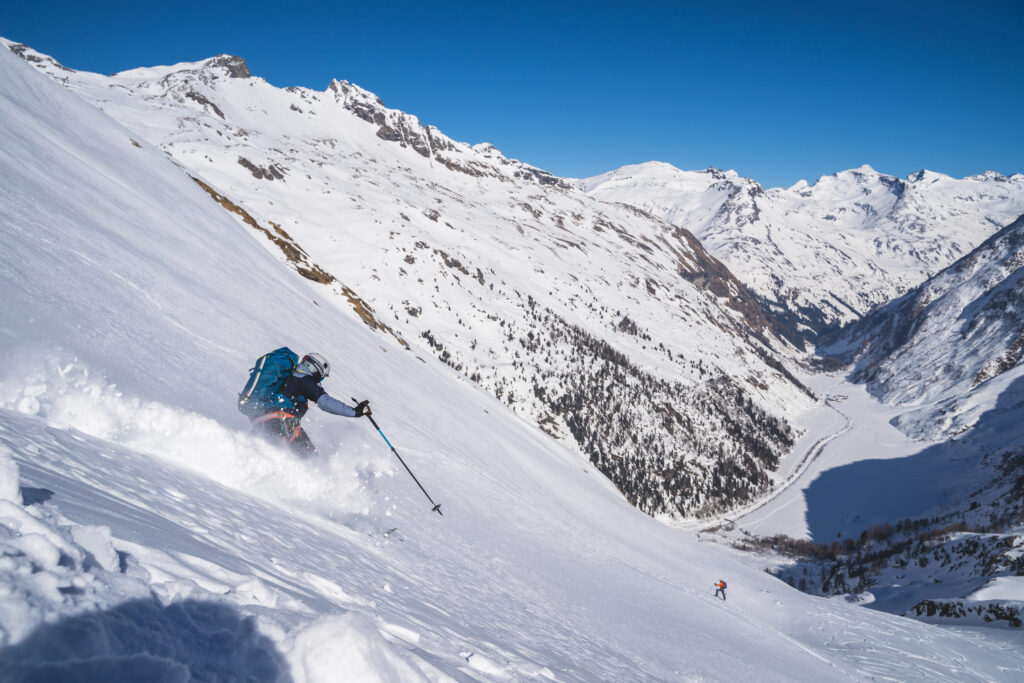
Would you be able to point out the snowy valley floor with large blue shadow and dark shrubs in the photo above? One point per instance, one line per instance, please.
(852, 471)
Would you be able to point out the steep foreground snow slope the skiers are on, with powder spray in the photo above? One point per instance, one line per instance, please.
(147, 536)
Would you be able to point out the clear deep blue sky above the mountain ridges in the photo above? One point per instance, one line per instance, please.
(777, 91)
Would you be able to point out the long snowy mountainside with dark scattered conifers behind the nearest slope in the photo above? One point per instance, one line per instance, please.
(604, 325)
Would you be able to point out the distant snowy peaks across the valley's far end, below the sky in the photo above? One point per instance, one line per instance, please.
(826, 254)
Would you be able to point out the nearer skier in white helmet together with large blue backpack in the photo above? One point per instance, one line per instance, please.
(278, 417)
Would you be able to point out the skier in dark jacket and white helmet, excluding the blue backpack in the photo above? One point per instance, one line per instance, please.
(302, 388)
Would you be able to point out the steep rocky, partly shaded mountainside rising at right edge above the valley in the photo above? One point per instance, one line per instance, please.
(948, 350)
